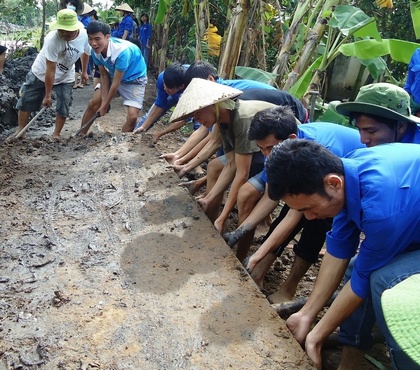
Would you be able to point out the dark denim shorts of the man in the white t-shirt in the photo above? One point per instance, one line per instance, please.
(32, 93)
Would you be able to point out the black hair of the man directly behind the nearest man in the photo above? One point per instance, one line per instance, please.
(278, 121)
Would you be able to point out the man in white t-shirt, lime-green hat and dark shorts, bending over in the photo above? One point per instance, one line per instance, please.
(53, 69)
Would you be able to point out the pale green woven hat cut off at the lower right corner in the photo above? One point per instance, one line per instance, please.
(401, 308)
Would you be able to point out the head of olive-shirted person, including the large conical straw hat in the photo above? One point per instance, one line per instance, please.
(202, 100)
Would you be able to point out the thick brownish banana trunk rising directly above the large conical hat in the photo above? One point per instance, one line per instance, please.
(235, 33)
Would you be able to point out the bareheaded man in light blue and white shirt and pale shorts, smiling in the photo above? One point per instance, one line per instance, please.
(122, 69)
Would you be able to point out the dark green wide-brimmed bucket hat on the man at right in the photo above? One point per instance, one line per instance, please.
(382, 100)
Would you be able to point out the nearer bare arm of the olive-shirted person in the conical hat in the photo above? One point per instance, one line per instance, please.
(243, 165)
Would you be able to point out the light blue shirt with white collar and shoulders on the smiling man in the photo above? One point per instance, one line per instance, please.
(123, 56)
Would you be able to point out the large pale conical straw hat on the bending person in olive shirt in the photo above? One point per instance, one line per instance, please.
(199, 94)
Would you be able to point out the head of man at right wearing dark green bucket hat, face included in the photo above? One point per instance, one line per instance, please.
(381, 112)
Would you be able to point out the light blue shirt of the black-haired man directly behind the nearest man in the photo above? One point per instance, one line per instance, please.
(338, 139)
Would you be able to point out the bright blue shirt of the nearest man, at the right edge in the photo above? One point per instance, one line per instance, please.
(382, 201)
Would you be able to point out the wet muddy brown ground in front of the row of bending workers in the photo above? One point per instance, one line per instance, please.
(106, 263)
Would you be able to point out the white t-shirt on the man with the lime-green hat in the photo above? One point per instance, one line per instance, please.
(64, 53)
